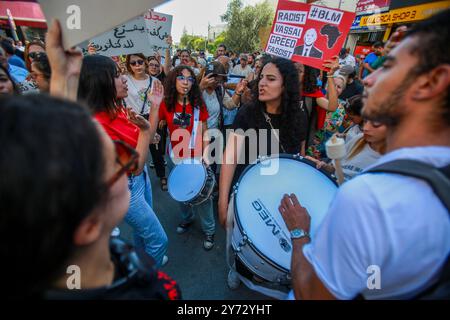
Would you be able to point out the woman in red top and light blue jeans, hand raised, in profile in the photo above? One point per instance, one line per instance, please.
(102, 88)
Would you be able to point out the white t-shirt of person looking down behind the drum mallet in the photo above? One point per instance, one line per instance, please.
(357, 164)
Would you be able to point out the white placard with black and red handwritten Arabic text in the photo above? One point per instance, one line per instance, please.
(146, 34)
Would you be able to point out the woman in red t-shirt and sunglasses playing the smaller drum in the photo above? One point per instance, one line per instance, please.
(183, 110)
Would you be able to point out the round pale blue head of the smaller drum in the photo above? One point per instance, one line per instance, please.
(186, 180)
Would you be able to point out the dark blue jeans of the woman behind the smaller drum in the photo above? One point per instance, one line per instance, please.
(205, 213)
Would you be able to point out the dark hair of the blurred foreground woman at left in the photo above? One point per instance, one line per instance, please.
(52, 177)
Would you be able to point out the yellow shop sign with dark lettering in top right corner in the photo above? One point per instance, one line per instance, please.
(407, 14)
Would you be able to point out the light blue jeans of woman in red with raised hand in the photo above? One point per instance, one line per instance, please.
(149, 235)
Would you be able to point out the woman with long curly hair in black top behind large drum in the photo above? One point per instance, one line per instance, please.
(276, 106)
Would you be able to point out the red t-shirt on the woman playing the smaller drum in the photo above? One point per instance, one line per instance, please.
(180, 137)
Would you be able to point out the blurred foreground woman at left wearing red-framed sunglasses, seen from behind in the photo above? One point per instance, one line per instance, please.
(74, 176)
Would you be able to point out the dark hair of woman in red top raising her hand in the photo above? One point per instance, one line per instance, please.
(97, 87)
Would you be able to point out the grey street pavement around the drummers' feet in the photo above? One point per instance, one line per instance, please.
(201, 275)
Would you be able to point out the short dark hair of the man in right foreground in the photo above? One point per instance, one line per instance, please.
(433, 49)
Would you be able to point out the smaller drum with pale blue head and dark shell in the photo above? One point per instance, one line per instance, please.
(191, 182)
